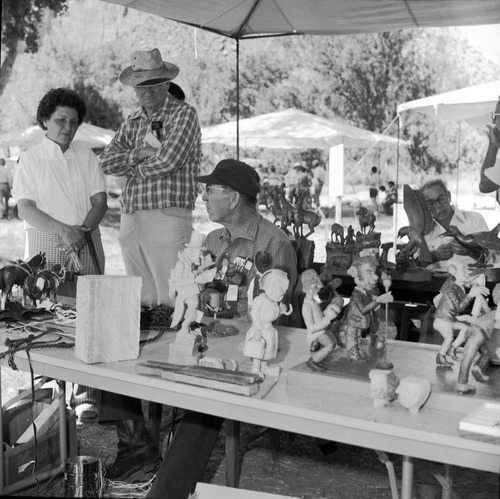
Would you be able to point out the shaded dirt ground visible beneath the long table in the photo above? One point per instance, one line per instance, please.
(301, 470)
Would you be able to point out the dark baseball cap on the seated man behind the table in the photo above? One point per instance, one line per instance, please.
(235, 174)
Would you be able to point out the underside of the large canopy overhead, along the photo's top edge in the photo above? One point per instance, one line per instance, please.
(241, 19)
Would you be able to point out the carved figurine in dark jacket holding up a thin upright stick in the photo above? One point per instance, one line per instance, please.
(360, 315)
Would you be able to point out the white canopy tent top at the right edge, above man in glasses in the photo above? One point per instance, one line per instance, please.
(473, 104)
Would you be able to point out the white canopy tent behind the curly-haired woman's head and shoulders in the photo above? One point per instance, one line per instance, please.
(91, 135)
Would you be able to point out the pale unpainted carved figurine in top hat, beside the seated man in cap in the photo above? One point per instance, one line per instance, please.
(193, 268)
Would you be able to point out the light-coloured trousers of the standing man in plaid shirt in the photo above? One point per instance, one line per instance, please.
(150, 241)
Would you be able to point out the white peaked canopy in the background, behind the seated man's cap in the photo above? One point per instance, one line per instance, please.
(292, 129)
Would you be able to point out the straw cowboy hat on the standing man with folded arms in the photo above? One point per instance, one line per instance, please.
(147, 69)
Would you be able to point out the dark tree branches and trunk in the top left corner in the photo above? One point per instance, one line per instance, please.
(21, 22)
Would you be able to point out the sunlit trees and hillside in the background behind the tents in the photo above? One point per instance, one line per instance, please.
(358, 79)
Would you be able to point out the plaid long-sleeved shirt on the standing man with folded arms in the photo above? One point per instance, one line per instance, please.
(167, 178)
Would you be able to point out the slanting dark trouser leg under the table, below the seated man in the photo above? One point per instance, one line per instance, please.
(186, 457)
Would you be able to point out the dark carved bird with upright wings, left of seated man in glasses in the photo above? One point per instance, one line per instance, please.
(420, 224)
